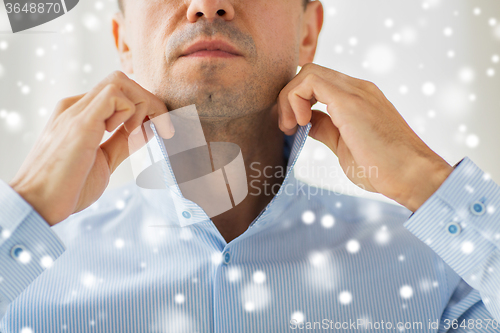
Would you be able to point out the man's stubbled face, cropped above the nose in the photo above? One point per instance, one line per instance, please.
(259, 39)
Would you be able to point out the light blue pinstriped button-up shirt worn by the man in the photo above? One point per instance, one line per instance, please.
(312, 261)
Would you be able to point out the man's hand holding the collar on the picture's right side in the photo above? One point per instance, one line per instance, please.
(376, 148)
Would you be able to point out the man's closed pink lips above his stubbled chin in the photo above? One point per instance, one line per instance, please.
(211, 49)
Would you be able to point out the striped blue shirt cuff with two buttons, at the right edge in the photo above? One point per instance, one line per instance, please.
(461, 223)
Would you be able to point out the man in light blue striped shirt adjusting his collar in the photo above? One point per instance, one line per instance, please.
(274, 263)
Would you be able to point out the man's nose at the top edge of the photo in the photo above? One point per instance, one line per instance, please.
(210, 9)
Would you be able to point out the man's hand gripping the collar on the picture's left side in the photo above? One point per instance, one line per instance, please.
(68, 169)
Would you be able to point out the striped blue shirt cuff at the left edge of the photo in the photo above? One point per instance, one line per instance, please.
(28, 246)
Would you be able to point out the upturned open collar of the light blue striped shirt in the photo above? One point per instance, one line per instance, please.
(187, 212)
